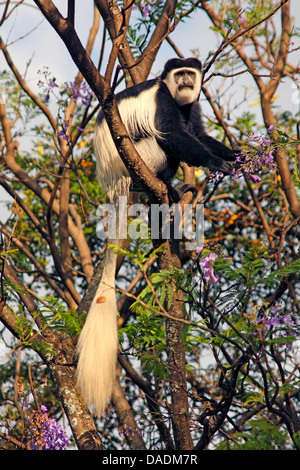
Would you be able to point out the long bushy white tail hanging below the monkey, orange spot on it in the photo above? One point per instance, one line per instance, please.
(98, 342)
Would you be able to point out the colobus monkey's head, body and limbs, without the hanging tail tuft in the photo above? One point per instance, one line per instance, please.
(163, 119)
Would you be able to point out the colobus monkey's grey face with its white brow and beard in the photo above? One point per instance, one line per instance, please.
(184, 84)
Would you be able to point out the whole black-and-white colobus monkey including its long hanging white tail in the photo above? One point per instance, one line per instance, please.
(163, 119)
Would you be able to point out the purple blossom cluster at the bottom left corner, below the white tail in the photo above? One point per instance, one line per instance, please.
(47, 433)
